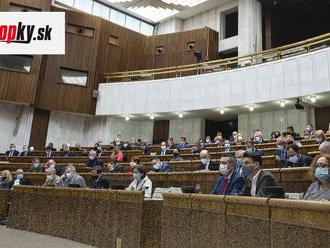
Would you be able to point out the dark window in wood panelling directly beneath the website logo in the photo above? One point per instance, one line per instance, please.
(16, 63)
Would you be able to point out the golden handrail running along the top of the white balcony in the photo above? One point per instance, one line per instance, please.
(223, 64)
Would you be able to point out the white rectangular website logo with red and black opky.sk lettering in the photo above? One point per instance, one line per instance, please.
(32, 33)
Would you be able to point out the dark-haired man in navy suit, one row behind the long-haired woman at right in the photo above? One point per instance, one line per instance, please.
(295, 158)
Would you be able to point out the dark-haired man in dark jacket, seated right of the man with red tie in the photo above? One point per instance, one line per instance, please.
(256, 178)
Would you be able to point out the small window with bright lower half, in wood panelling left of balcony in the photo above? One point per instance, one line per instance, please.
(75, 77)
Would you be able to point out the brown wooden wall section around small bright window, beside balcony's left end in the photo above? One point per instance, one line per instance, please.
(81, 54)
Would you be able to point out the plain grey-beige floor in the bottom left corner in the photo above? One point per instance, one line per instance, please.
(11, 238)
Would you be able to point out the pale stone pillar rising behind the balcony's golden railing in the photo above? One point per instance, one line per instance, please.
(249, 27)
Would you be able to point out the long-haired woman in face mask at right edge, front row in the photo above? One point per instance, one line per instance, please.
(319, 190)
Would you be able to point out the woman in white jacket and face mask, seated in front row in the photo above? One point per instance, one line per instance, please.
(141, 182)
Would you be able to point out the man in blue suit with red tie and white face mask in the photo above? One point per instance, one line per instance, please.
(230, 182)
